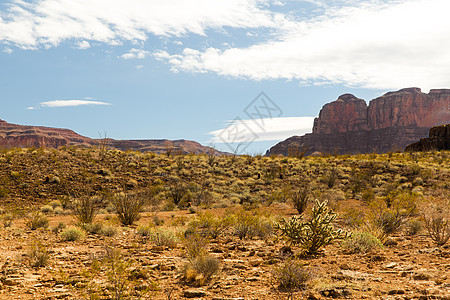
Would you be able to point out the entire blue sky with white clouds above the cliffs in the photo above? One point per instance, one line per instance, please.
(240, 75)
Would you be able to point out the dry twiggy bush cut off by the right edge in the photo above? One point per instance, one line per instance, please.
(437, 222)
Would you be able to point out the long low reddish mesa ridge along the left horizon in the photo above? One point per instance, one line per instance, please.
(13, 135)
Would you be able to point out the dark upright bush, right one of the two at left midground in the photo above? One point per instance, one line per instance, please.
(128, 207)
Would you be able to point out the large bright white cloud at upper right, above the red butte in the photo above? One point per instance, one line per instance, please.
(385, 45)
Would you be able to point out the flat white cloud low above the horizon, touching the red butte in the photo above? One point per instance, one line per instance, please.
(275, 129)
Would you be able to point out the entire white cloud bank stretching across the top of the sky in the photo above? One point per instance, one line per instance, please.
(378, 44)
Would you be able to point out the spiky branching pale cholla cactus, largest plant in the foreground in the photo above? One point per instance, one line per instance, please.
(314, 233)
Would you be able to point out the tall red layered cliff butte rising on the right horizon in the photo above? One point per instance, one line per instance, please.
(389, 122)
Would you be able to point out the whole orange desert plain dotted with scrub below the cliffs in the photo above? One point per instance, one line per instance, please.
(219, 235)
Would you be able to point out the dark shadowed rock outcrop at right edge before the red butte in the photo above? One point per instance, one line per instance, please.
(439, 140)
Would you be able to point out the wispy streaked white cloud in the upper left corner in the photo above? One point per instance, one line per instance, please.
(41, 23)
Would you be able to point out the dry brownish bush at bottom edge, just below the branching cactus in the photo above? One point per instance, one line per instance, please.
(291, 276)
